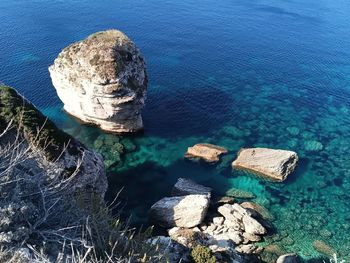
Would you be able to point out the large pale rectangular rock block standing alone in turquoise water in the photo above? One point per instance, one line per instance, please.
(273, 164)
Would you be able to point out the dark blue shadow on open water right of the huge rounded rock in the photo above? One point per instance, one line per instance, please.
(189, 111)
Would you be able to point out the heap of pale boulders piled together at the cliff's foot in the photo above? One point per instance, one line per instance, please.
(193, 218)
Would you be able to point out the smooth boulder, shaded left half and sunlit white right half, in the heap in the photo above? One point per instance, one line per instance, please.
(182, 211)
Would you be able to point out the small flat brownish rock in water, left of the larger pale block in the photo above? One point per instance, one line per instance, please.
(205, 151)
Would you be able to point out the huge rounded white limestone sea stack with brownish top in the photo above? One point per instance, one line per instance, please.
(102, 80)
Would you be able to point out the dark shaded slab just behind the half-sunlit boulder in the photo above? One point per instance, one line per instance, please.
(186, 186)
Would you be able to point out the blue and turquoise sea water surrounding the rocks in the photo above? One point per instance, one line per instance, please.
(231, 72)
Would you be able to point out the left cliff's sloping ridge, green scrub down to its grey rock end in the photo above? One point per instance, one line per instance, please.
(54, 149)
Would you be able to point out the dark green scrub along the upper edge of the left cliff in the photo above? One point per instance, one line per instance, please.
(31, 123)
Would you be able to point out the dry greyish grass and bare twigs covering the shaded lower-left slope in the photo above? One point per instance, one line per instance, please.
(42, 220)
